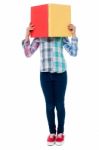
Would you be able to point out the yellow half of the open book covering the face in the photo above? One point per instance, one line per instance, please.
(59, 19)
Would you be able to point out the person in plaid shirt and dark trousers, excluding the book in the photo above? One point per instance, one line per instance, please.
(53, 76)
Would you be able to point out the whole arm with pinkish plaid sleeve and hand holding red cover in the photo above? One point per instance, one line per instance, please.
(29, 49)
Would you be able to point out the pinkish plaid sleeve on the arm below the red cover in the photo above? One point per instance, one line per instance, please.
(29, 49)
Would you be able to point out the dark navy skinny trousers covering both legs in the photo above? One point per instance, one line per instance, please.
(54, 87)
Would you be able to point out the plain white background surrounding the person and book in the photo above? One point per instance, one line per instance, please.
(23, 123)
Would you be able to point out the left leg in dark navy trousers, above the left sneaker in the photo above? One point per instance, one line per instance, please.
(47, 87)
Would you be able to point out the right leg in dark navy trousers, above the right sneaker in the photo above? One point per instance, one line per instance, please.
(60, 83)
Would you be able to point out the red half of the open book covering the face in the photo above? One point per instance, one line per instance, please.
(39, 18)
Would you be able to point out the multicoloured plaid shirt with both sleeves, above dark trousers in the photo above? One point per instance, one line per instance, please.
(51, 52)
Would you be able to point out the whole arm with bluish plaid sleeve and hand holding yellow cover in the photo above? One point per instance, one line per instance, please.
(71, 46)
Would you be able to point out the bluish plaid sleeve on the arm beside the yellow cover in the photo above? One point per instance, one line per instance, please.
(71, 46)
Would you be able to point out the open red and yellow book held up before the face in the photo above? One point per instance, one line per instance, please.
(51, 20)
